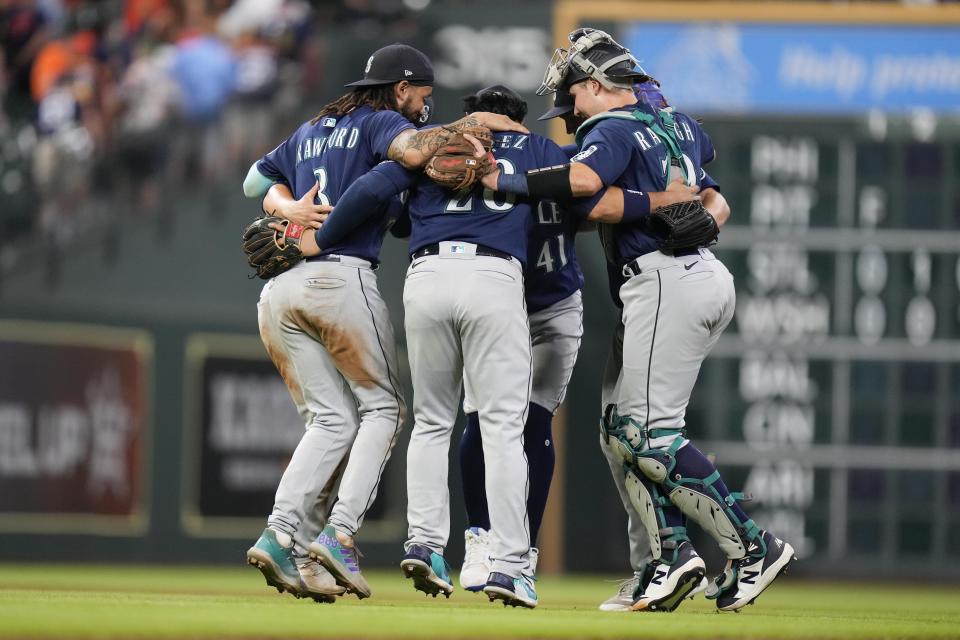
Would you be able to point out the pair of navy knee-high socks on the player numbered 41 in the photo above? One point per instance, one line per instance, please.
(541, 458)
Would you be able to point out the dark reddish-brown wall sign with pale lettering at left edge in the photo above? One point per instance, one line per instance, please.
(73, 428)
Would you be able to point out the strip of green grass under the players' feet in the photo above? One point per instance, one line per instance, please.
(89, 601)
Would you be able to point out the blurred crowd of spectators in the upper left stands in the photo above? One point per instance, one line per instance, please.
(109, 101)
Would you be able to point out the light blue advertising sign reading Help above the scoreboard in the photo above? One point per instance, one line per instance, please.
(793, 68)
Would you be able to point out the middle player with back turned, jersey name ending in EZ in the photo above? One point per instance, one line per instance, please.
(466, 321)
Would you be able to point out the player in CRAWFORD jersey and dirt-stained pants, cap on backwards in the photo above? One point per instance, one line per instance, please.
(324, 324)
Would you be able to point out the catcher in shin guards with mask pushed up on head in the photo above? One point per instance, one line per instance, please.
(675, 305)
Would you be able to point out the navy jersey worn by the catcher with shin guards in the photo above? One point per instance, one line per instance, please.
(629, 154)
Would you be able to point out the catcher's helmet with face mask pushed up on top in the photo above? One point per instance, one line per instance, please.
(592, 54)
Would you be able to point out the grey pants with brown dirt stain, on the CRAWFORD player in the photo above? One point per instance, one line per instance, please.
(328, 332)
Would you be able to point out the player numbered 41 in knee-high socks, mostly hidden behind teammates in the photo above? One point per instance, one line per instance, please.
(555, 311)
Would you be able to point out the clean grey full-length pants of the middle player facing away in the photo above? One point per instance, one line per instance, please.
(466, 320)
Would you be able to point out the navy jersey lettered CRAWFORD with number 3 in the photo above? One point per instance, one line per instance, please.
(332, 153)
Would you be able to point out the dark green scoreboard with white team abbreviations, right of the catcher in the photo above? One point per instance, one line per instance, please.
(834, 396)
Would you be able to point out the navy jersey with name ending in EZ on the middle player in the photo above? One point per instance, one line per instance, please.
(496, 220)
